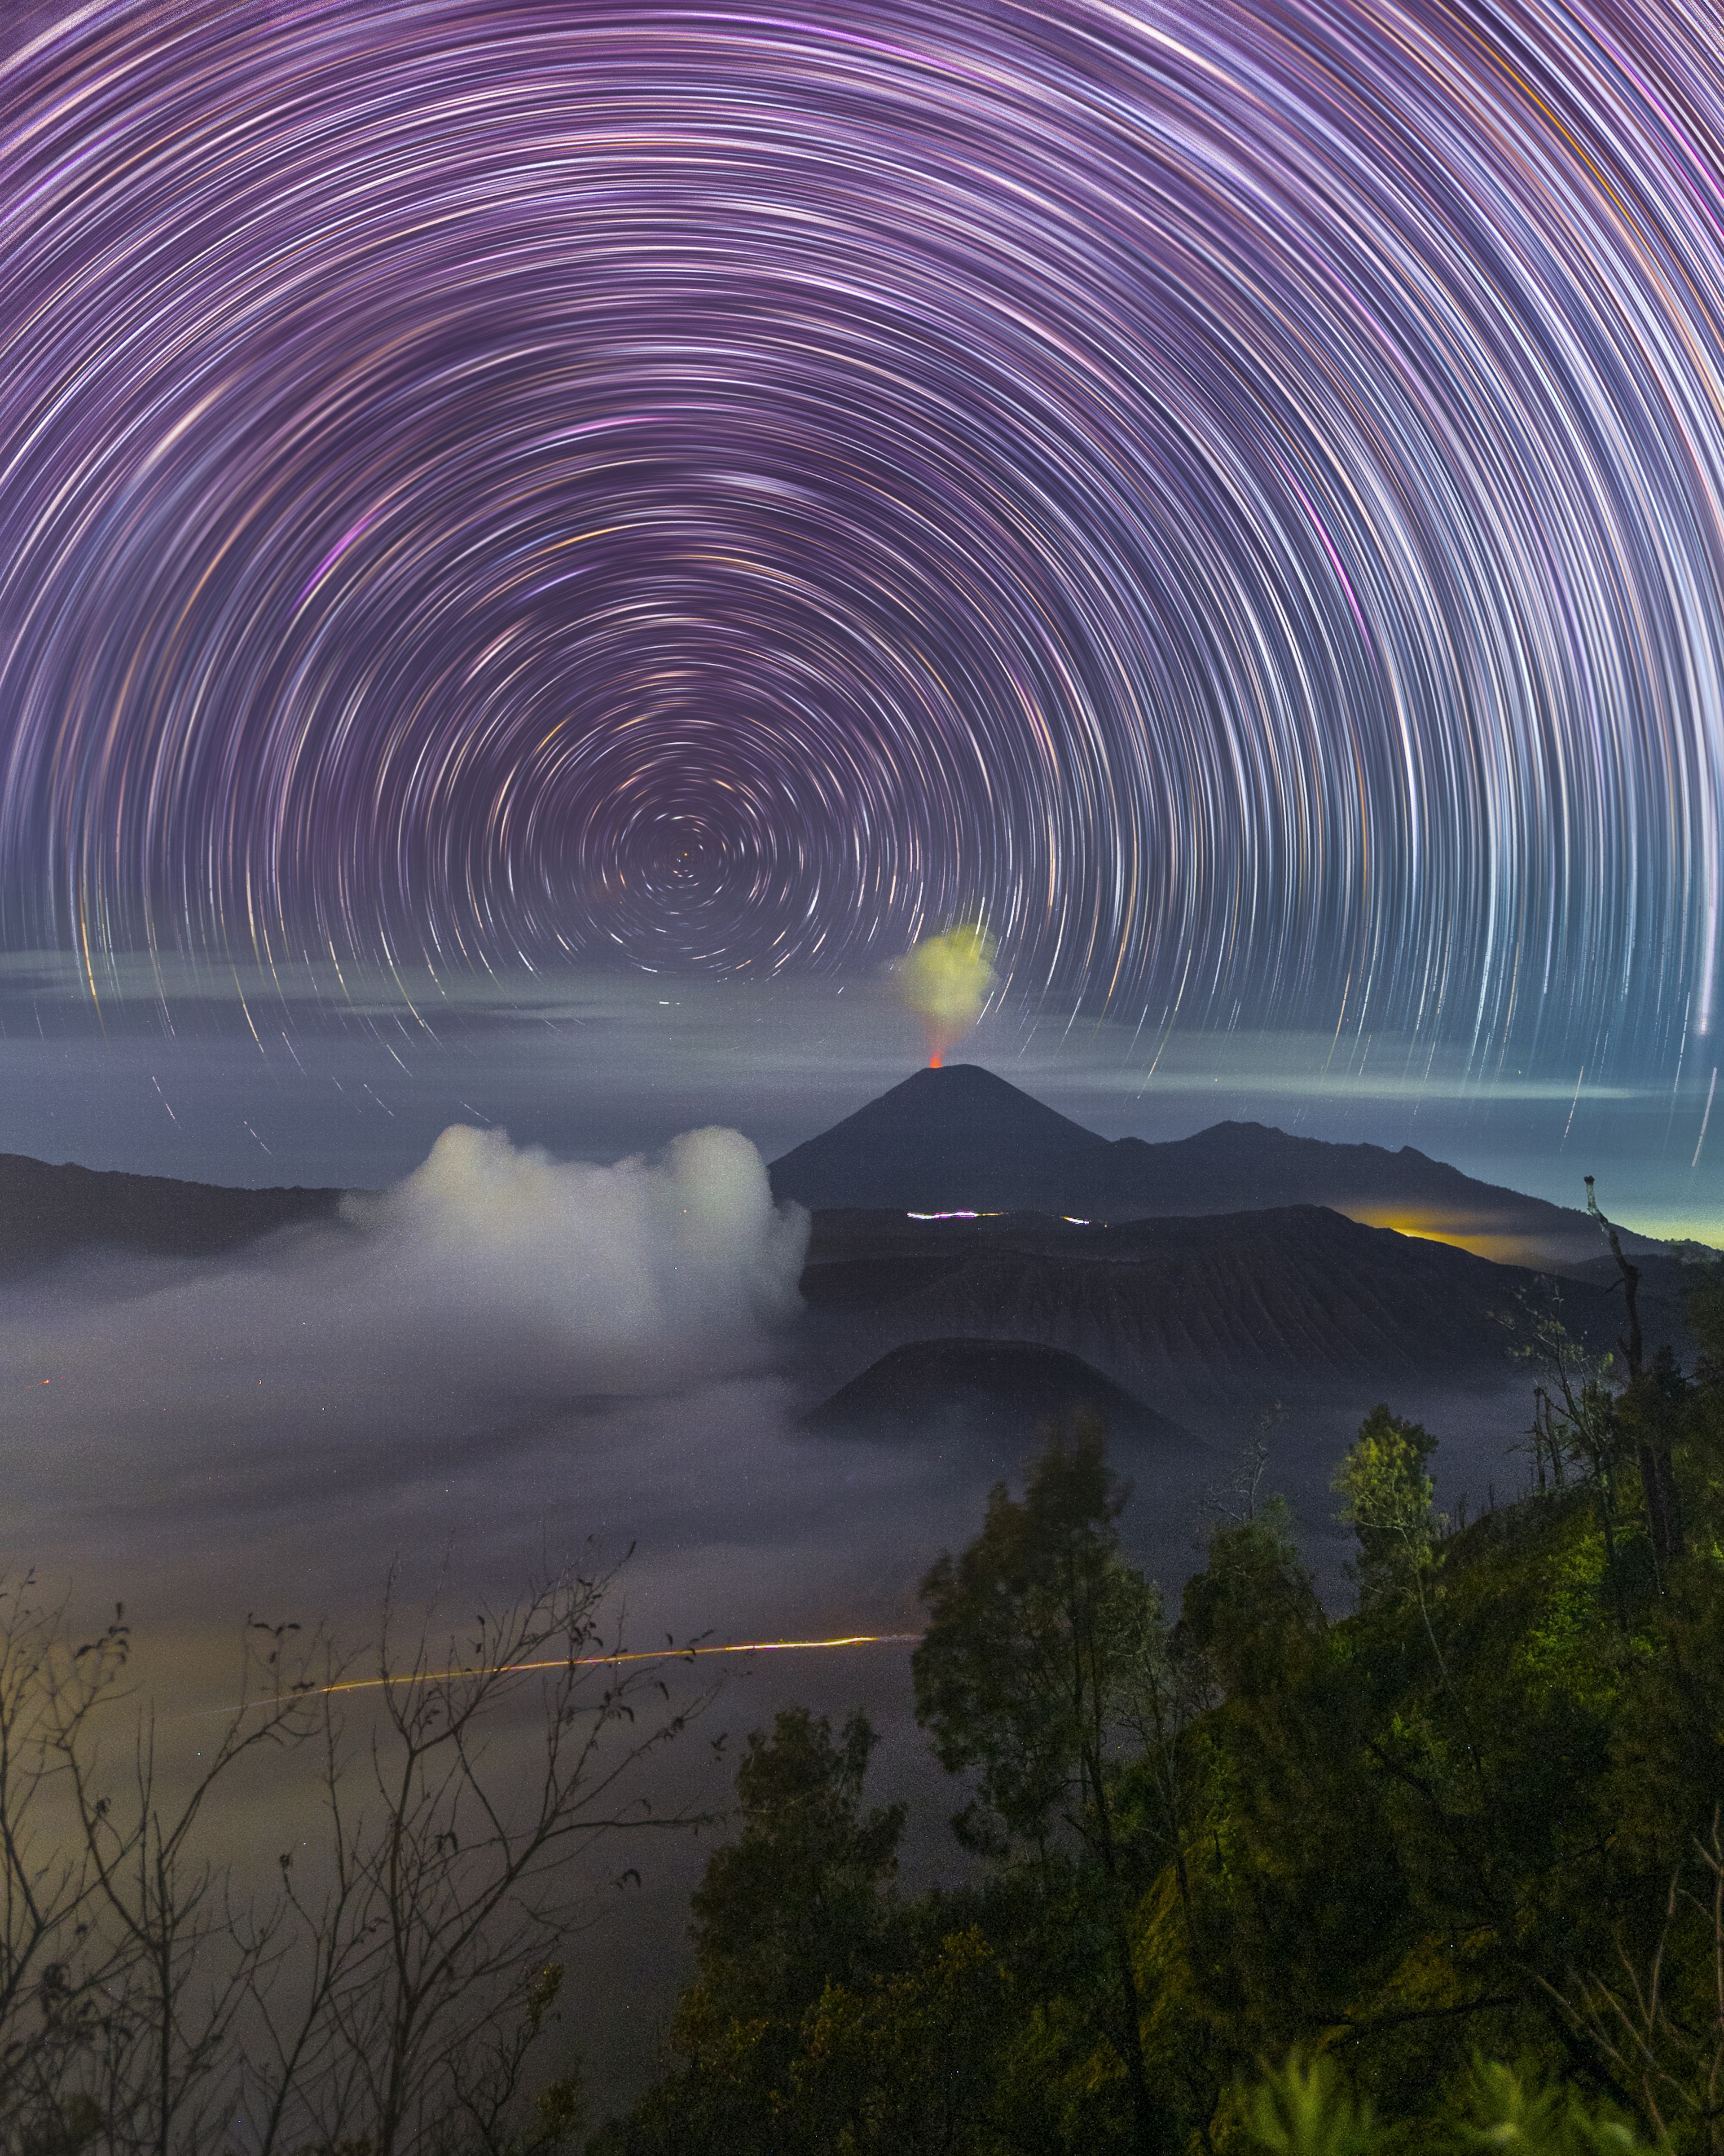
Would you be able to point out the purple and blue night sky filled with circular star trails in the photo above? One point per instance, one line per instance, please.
(1229, 495)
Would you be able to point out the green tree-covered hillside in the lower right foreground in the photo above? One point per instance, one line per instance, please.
(1473, 1821)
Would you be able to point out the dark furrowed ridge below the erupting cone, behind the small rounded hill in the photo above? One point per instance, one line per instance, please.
(1199, 1314)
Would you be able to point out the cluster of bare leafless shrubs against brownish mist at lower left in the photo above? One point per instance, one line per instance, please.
(387, 1995)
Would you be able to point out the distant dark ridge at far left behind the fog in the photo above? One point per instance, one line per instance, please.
(48, 1213)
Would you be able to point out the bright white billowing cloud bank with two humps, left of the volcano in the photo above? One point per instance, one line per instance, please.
(490, 1284)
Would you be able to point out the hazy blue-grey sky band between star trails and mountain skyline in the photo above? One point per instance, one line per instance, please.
(268, 1079)
